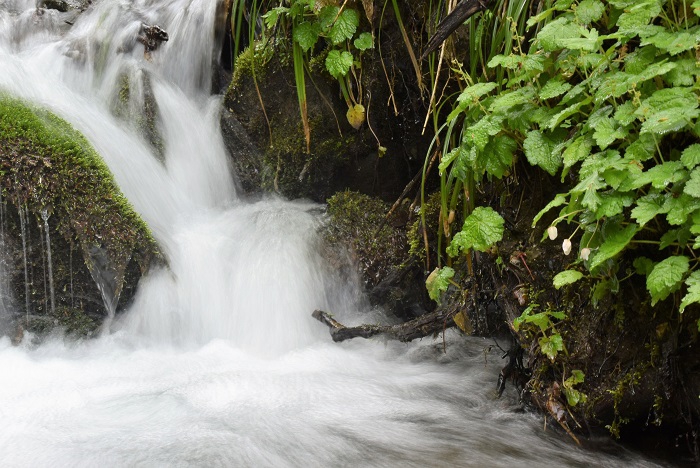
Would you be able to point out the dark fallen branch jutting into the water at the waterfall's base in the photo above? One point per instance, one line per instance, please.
(419, 327)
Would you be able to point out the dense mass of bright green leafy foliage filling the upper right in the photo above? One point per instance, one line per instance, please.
(607, 93)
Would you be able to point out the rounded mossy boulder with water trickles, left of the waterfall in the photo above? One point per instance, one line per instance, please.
(66, 225)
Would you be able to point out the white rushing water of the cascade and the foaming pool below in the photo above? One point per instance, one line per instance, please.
(218, 362)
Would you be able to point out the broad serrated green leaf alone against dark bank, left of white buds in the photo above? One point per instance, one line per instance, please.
(482, 228)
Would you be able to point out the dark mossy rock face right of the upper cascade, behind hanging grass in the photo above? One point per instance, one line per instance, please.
(339, 157)
